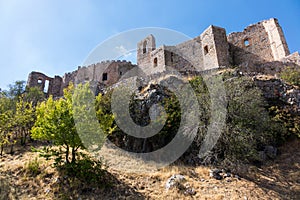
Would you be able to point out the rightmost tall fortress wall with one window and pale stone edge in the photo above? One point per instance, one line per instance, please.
(258, 43)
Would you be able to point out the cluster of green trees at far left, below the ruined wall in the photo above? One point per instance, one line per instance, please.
(17, 114)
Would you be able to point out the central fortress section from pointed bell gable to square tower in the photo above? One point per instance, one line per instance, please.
(207, 51)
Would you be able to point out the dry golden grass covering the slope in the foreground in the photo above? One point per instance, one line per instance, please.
(275, 180)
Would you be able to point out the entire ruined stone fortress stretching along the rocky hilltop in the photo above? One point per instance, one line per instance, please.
(259, 48)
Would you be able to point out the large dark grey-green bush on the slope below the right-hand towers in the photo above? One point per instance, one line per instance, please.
(248, 125)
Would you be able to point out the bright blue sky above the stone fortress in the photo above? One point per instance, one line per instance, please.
(55, 36)
